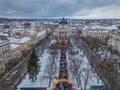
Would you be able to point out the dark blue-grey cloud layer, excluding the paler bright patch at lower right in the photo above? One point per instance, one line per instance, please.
(50, 8)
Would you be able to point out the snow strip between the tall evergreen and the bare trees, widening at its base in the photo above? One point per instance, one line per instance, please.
(27, 83)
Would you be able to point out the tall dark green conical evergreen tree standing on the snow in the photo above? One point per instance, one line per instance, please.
(33, 66)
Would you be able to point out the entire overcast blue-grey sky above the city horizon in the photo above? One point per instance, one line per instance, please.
(60, 8)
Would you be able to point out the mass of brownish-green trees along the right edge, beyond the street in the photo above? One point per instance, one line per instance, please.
(108, 65)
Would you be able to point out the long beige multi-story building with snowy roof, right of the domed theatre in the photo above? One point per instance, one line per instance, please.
(99, 32)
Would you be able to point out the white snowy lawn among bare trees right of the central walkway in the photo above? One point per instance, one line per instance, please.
(94, 79)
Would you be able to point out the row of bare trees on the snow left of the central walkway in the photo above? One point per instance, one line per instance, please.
(51, 68)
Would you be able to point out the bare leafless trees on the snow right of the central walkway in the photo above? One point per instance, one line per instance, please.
(80, 73)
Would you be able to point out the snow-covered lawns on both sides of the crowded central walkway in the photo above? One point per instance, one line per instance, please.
(44, 59)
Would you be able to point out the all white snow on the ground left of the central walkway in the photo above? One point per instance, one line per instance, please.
(43, 59)
